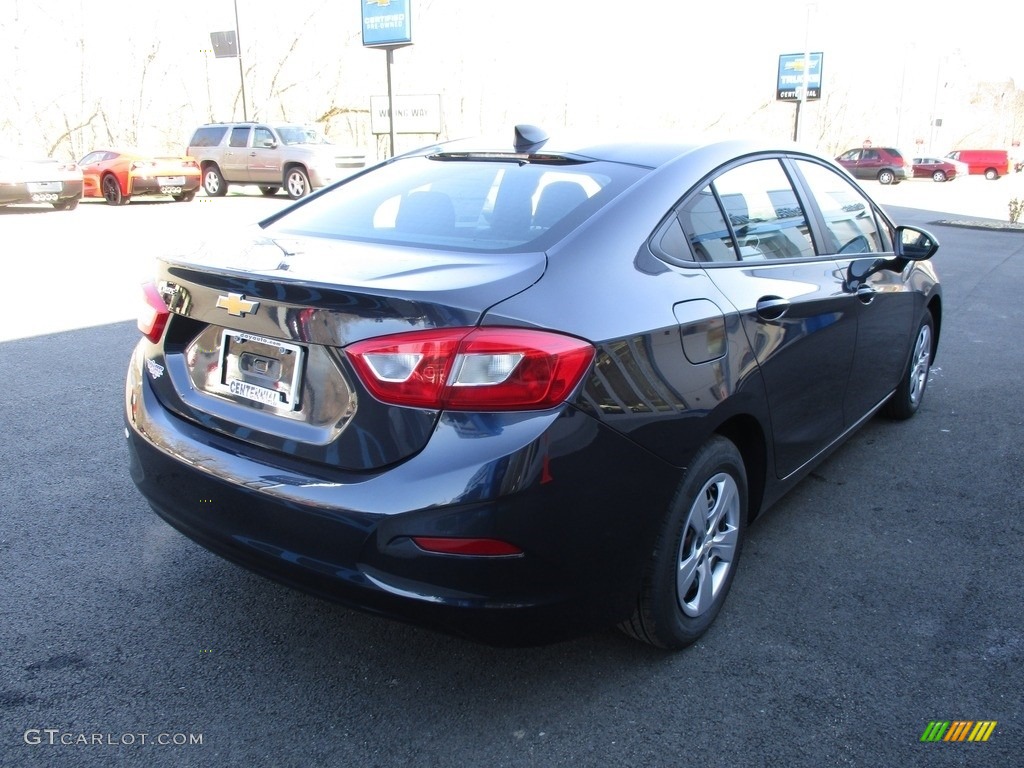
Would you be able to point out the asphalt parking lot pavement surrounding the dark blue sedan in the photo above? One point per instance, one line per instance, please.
(881, 595)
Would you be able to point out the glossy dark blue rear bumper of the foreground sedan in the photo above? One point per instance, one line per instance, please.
(580, 500)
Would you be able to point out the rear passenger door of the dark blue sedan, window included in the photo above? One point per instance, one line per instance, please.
(792, 302)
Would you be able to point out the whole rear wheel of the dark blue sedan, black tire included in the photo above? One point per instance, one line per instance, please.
(697, 553)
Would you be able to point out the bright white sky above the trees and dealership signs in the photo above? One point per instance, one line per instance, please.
(628, 64)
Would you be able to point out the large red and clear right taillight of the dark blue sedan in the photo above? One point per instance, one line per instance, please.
(473, 369)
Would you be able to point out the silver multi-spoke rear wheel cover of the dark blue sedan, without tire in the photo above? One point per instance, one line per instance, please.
(708, 547)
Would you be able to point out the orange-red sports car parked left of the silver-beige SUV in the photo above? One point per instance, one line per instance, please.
(118, 177)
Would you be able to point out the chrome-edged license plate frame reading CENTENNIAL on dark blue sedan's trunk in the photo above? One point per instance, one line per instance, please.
(262, 371)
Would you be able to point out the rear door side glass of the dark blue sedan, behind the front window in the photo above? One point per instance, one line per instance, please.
(749, 214)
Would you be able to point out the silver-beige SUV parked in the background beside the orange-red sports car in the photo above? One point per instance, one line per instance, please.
(270, 155)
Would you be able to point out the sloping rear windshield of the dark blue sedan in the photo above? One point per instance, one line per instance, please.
(462, 204)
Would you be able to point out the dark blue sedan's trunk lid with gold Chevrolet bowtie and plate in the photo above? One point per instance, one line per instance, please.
(254, 343)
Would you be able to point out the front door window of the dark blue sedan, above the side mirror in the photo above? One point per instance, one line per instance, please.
(851, 225)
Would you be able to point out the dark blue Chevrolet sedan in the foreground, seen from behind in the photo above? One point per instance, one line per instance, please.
(522, 392)
